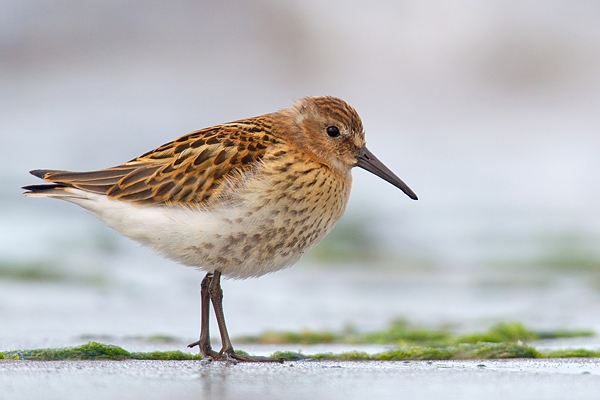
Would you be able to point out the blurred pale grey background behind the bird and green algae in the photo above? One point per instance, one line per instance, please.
(489, 110)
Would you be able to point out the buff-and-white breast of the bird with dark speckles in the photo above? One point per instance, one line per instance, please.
(277, 216)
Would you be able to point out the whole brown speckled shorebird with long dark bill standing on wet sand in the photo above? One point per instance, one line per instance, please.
(240, 199)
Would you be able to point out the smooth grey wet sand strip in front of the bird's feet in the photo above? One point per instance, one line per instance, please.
(491, 379)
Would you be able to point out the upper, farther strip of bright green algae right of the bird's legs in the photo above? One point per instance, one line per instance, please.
(399, 332)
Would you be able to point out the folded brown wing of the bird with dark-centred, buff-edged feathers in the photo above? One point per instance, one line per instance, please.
(196, 169)
